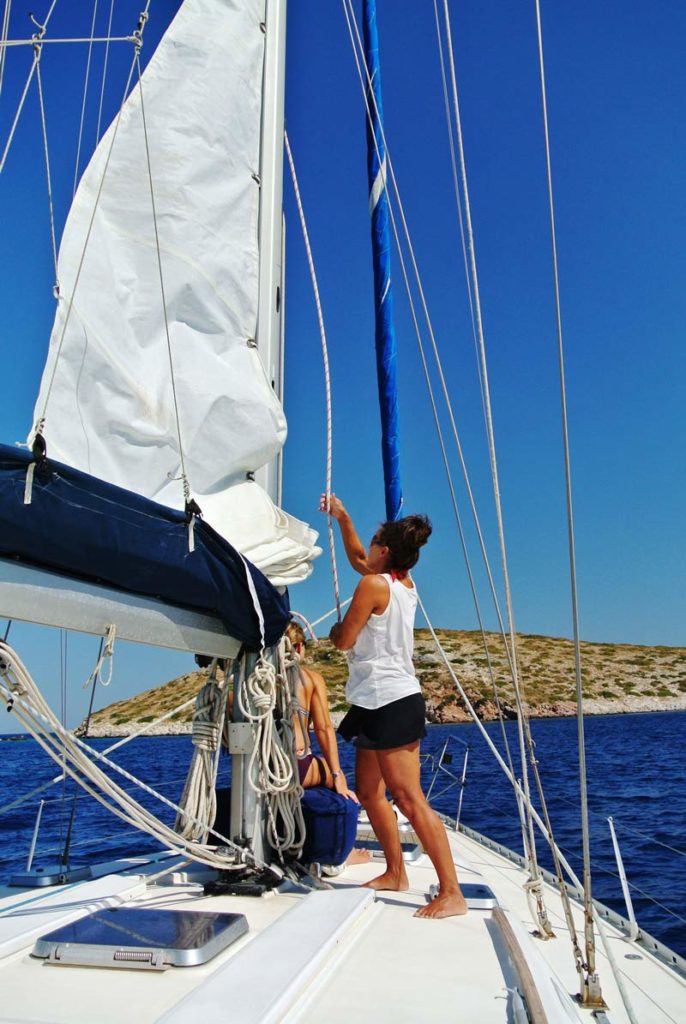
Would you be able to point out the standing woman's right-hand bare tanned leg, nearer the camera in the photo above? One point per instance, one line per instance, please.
(401, 770)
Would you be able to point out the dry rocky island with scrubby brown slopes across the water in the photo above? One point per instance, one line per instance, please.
(618, 678)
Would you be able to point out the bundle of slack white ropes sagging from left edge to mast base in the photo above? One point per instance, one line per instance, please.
(26, 701)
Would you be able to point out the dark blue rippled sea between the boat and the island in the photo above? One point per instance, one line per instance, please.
(636, 775)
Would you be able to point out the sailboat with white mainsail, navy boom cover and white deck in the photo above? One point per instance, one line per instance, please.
(136, 476)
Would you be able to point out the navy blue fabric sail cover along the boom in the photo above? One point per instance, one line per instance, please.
(84, 528)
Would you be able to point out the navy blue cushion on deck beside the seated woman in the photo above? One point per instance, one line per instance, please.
(331, 822)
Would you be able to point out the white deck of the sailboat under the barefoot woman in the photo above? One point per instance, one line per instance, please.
(331, 957)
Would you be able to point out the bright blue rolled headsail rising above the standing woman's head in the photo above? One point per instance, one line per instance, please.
(385, 334)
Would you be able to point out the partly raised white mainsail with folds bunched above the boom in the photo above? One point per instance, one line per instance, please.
(107, 391)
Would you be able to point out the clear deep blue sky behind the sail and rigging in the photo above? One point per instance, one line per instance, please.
(617, 96)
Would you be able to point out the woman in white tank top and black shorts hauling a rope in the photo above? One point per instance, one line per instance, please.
(387, 720)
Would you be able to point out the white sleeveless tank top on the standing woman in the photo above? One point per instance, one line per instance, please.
(380, 663)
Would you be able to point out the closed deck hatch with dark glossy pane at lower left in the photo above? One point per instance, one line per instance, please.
(143, 940)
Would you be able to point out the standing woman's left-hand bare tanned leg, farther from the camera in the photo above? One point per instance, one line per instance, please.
(371, 791)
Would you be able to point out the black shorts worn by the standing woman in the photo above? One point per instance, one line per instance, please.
(397, 724)
